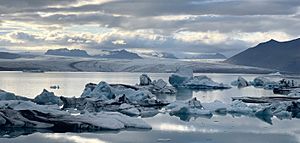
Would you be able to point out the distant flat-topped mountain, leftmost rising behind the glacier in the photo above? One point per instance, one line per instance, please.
(67, 52)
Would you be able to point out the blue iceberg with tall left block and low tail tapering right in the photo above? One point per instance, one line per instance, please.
(186, 80)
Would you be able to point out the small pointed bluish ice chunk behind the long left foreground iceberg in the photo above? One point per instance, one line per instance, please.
(47, 98)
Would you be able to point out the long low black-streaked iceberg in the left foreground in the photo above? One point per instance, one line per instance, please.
(26, 114)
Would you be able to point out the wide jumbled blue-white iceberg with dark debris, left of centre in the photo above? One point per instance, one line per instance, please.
(126, 99)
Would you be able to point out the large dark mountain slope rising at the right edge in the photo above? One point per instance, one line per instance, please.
(283, 56)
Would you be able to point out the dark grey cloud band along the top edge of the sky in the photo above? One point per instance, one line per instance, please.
(142, 8)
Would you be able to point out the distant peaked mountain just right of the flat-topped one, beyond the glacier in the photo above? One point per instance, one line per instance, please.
(119, 54)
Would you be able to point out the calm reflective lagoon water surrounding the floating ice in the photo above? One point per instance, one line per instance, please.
(165, 128)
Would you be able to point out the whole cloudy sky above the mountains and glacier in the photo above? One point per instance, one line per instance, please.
(178, 26)
